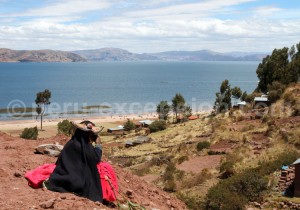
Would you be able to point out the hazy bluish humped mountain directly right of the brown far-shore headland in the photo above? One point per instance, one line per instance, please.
(113, 54)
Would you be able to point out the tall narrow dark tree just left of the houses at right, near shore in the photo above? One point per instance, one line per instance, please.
(223, 98)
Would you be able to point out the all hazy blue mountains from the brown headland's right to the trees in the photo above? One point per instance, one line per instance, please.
(115, 54)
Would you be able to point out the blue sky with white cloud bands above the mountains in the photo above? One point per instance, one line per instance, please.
(147, 26)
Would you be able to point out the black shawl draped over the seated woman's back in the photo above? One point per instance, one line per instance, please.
(76, 169)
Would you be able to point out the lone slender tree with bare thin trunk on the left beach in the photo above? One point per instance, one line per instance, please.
(42, 100)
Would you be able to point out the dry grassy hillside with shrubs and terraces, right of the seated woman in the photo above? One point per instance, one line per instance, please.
(202, 161)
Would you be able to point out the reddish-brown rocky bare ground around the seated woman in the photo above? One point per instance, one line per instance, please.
(17, 157)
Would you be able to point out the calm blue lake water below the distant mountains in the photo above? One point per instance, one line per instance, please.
(120, 84)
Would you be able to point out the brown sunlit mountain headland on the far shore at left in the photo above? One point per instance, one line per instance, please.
(8, 55)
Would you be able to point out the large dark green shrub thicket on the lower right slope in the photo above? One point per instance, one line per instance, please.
(248, 185)
